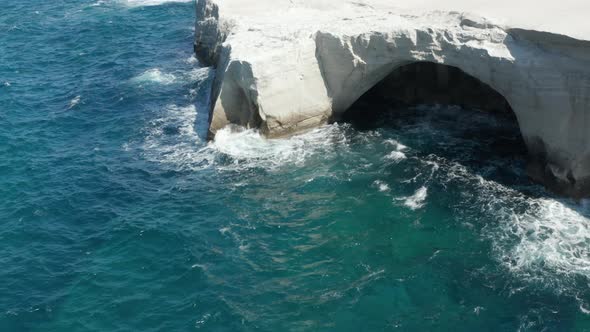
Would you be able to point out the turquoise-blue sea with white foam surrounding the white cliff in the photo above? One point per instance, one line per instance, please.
(116, 215)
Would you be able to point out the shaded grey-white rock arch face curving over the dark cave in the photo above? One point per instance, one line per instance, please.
(534, 86)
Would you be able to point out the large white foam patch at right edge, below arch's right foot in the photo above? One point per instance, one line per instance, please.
(539, 240)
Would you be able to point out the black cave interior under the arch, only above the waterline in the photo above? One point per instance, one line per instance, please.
(425, 83)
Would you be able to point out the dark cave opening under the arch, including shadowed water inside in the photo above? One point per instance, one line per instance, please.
(453, 101)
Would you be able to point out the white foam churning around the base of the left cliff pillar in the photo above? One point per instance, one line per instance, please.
(173, 138)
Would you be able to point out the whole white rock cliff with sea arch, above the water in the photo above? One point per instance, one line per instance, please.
(289, 65)
